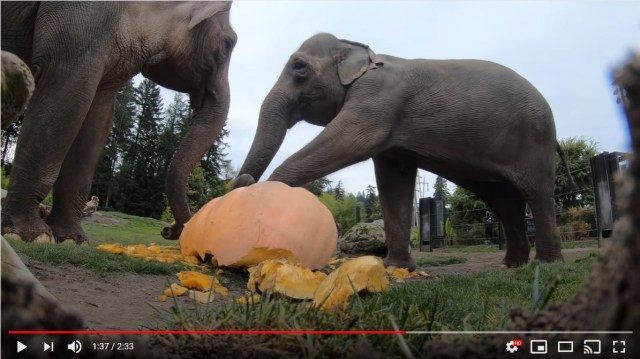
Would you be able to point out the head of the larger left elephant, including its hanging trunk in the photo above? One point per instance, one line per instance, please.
(196, 62)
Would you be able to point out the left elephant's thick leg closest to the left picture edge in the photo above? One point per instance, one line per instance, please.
(51, 122)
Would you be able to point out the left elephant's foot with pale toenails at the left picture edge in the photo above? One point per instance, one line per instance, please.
(27, 230)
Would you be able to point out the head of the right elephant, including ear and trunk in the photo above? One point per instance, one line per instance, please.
(312, 87)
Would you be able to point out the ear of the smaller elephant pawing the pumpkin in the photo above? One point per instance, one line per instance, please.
(354, 60)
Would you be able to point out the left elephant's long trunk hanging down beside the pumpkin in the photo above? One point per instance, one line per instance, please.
(208, 120)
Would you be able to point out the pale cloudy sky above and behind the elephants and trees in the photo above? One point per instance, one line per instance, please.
(566, 49)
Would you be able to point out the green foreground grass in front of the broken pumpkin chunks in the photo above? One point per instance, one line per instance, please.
(470, 302)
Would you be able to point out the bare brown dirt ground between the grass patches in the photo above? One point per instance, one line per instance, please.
(128, 301)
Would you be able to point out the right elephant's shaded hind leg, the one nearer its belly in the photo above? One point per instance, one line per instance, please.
(509, 206)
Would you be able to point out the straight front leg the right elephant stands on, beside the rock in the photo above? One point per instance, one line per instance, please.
(396, 184)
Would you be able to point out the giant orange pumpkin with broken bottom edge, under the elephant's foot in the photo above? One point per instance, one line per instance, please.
(263, 221)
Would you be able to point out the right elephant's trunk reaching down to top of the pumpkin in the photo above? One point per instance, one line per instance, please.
(275, 119)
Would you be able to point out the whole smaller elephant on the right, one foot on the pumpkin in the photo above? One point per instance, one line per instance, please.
(476, 123)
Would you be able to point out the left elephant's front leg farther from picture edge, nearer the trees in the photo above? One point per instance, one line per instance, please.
(71, 189)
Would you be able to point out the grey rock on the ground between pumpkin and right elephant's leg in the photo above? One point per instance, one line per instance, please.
(365, 239)
